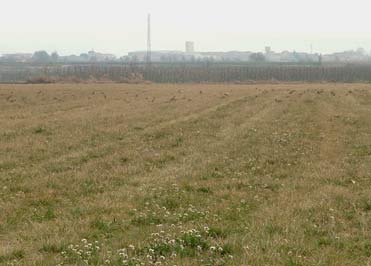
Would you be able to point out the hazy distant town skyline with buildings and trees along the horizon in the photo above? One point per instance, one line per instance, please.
(192, 56)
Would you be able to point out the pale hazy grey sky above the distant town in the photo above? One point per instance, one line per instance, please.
(119, 26)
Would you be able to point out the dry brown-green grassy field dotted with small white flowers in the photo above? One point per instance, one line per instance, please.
(110, 174)
